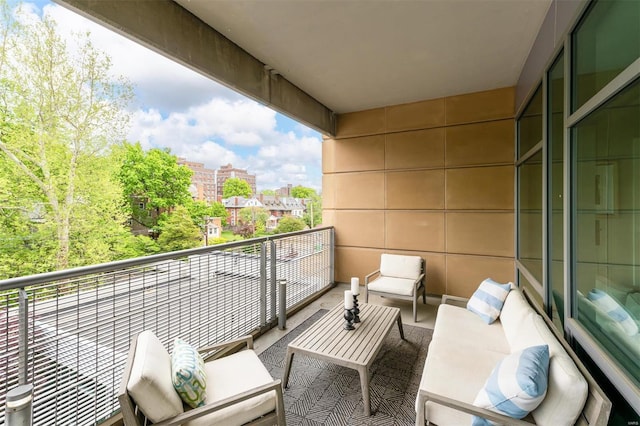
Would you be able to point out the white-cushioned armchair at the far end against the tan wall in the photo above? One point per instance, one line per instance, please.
(400, 277)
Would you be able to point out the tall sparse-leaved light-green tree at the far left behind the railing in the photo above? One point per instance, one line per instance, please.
(60, 111)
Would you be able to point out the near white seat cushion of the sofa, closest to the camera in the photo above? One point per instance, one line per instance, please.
(462, 382)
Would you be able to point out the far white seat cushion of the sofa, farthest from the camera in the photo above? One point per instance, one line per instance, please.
(469, 331)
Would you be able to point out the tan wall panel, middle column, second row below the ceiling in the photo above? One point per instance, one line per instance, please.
(415, 149)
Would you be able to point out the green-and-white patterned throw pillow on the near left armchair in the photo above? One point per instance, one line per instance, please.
(187, 374)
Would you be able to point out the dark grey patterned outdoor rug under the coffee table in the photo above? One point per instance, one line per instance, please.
(321, 393)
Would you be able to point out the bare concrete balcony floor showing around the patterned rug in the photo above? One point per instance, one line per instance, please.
(426, 313)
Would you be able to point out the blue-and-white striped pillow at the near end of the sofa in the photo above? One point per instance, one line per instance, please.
(517, 384)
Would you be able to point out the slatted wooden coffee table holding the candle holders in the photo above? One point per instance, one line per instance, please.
(327, 340)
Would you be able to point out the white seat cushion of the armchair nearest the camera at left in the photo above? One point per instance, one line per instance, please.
(230, 376)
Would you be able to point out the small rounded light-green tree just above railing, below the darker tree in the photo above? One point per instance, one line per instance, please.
(178, 232)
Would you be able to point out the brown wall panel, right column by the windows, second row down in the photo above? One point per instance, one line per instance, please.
(490, 142)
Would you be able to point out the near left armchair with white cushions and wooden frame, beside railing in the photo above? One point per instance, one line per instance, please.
(240, 390)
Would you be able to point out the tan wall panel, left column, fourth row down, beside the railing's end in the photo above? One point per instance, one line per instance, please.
(361, 228)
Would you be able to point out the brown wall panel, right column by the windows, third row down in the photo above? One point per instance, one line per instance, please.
(480, 188)
